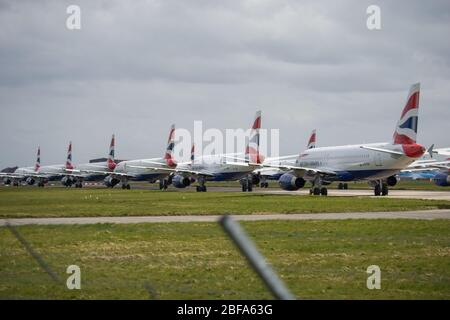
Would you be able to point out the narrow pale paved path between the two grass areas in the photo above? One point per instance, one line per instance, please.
(420, 215)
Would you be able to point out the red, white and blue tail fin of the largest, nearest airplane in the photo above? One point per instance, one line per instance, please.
(406, 130)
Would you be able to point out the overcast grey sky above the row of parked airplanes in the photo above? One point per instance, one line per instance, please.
(136, 67)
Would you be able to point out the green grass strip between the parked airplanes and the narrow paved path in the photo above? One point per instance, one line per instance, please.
(61, 202)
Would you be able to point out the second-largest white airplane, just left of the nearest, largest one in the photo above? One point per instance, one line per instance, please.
(223, 167)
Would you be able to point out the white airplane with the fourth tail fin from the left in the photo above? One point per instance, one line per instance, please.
(145, 169)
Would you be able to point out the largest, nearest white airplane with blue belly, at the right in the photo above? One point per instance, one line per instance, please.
(377, 163)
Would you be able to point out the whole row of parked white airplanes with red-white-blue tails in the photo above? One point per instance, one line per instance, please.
(377, 163)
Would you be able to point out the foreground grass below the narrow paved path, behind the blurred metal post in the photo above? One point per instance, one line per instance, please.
(316, 259)
